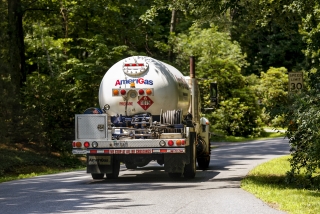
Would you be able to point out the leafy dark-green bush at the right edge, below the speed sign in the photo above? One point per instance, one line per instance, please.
(304, 135)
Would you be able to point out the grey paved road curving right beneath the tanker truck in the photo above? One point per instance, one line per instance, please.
(149, 190)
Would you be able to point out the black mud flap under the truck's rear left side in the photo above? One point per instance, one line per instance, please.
(99, 164)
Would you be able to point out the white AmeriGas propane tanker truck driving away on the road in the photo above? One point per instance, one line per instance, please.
(148, 112)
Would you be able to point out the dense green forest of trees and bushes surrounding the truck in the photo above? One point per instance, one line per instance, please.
(54, 53)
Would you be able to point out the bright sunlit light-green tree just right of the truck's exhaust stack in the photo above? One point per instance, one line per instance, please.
(220, 60)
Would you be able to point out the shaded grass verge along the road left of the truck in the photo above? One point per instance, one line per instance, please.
(19, 161)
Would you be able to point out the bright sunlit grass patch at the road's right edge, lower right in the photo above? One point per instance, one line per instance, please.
(267, 182)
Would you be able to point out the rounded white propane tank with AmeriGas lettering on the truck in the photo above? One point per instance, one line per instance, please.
(141, 84)
